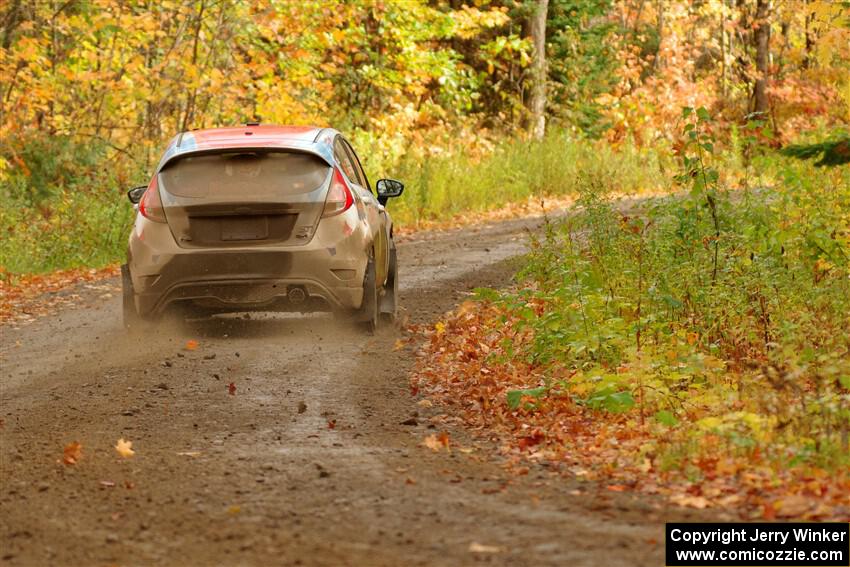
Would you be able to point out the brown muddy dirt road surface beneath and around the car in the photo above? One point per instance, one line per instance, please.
(315, 459)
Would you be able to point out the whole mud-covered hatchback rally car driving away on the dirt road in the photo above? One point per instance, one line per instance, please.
(261, 218)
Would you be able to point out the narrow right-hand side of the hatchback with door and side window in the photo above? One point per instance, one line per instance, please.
(376, 215)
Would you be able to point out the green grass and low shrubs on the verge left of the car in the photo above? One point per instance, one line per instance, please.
(64, 207)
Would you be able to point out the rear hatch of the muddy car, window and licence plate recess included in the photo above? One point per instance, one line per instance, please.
(237, 197)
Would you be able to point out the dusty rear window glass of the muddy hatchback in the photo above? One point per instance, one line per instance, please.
(244, 175)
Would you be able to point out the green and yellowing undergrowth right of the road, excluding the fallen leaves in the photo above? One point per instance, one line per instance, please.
(716, 311)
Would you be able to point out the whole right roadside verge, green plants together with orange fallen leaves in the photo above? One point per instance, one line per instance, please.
(696, 348)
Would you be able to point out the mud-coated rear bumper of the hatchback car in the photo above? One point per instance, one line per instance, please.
(329, 269)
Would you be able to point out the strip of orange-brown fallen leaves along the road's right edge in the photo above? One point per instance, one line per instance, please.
(464, 366)
